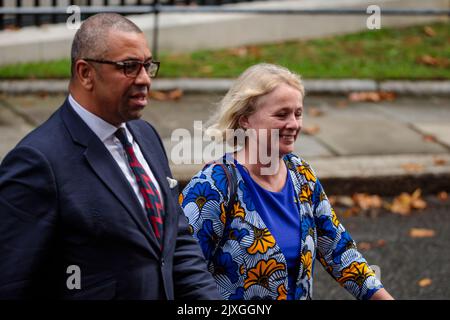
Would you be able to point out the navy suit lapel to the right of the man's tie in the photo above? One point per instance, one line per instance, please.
(154, 160)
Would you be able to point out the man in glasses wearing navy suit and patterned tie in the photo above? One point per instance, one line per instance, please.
(88, 207)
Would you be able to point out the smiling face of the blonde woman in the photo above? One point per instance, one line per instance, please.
(282, 110)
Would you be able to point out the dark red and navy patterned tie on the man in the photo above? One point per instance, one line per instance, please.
(152, 200)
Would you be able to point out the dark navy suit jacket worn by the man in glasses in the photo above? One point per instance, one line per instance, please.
(64, 201)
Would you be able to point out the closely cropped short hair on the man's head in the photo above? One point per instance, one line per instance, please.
(91, 39)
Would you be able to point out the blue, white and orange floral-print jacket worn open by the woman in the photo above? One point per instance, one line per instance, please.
(245, 259)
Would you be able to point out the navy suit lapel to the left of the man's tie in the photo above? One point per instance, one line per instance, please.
(107, 170)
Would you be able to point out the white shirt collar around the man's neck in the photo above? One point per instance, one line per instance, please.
(100, 127)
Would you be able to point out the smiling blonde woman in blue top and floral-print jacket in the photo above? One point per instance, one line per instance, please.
(261, 236)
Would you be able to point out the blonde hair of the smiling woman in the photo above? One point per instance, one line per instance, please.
(241, 98)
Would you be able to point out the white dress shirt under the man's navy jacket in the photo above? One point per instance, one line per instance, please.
(105, 132)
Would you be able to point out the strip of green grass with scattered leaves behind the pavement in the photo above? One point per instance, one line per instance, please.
(374, 54)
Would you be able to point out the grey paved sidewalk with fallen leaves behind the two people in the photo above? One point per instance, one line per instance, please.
(385, 147)
